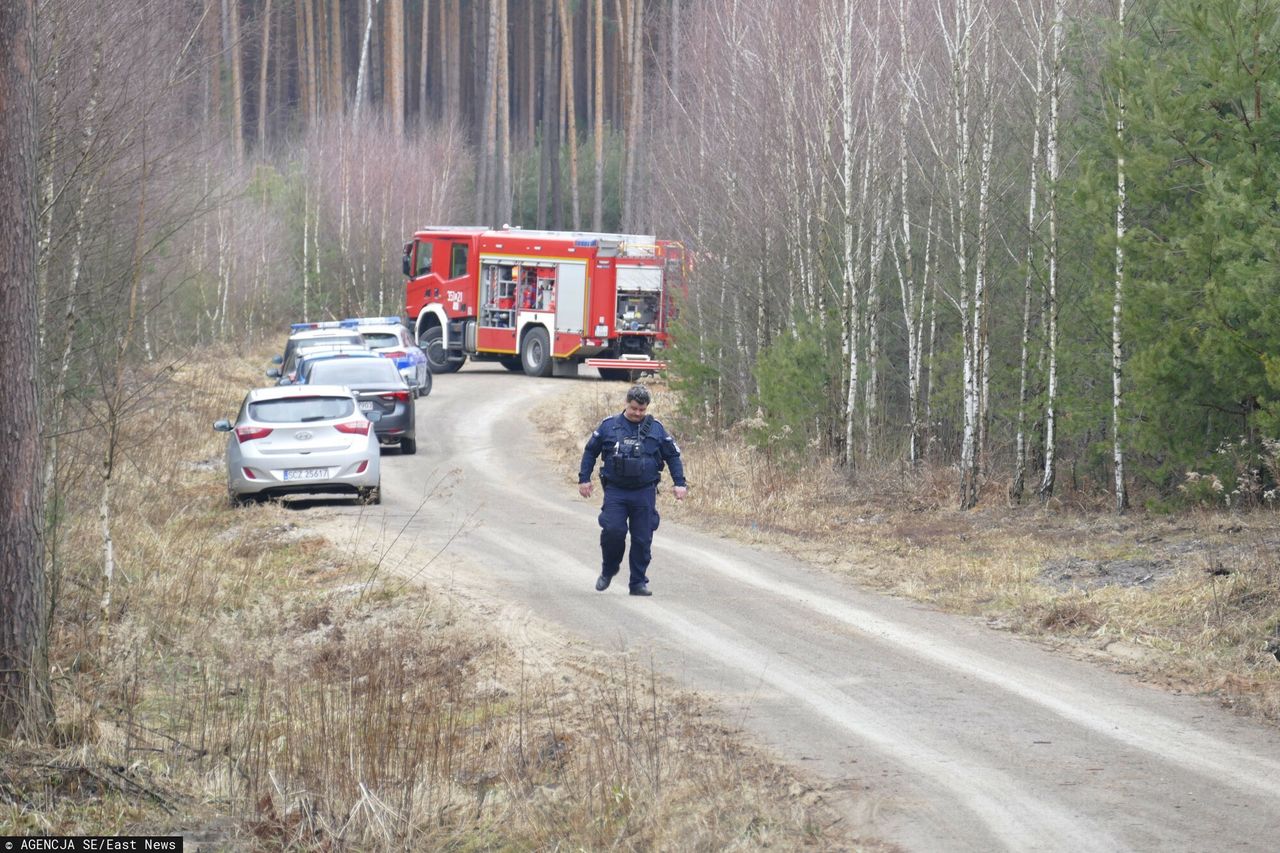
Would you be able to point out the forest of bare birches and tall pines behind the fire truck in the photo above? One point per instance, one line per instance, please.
(1035, 240)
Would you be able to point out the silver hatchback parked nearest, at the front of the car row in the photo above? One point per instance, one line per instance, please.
(301, 440)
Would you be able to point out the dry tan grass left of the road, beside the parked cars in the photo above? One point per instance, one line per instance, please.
(252, 692)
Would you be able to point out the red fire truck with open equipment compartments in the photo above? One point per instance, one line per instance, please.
(542, 302)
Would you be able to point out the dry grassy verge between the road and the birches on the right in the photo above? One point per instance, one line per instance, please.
(1191, 601)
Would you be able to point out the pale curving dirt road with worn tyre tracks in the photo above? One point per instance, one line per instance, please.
(929, 731)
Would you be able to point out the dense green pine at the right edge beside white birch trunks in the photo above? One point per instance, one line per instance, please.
(1204, 282)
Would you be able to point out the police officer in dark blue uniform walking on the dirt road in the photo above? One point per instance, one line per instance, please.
(636, 448)
